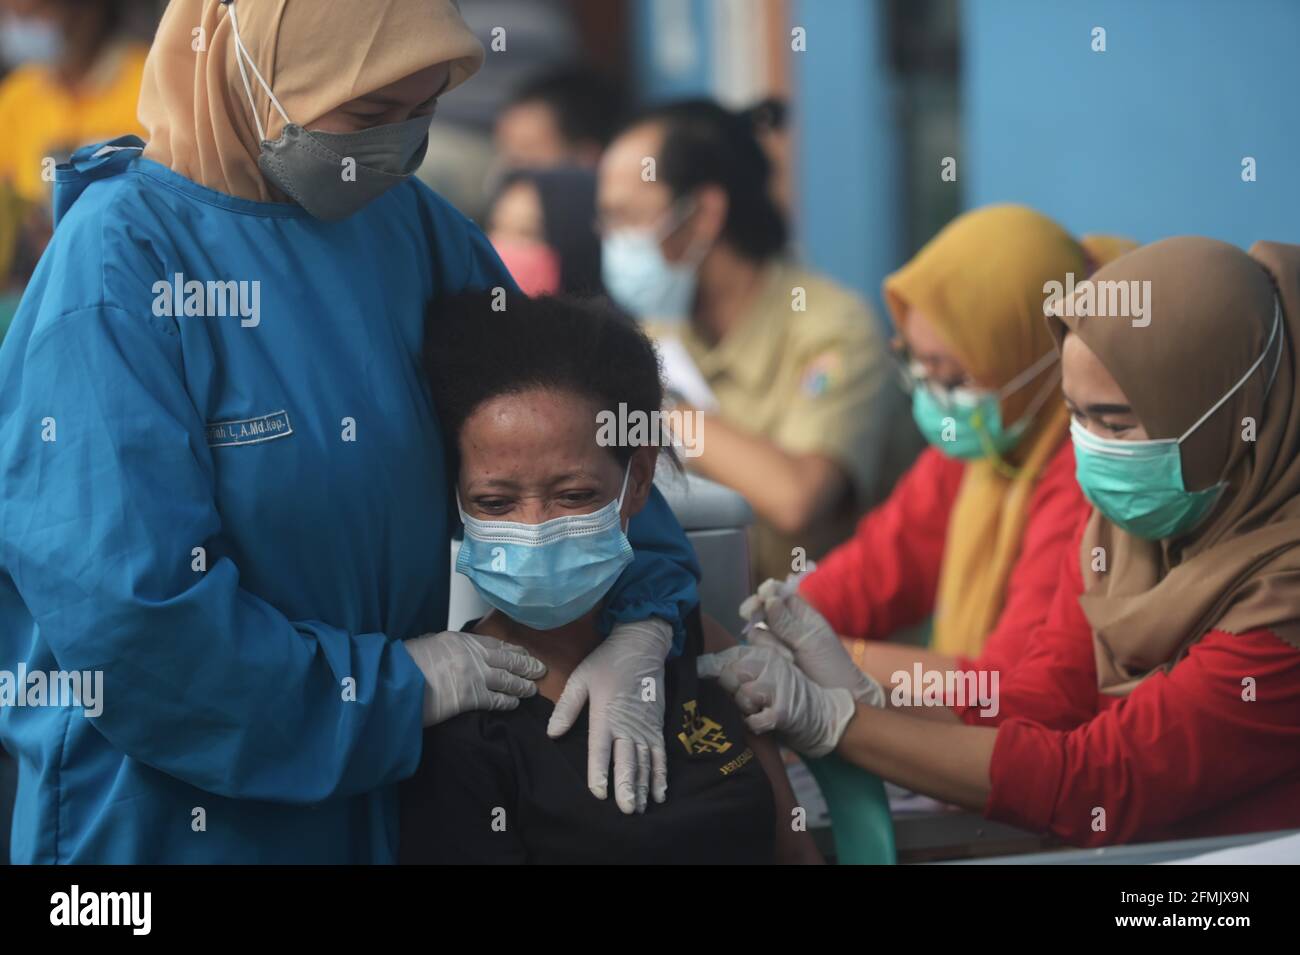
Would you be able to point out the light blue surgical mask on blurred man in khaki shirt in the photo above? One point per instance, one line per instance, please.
(645, 284)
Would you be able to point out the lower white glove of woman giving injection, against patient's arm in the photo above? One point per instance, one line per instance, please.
(775, 696)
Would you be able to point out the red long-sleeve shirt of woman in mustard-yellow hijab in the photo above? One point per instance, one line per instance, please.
(886, 578)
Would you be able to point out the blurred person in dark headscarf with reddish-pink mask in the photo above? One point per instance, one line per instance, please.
(543, 225)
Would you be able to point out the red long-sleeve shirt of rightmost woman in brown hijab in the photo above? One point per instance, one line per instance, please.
(1188, 754)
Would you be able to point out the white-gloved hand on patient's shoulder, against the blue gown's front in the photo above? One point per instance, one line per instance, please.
(469, 671)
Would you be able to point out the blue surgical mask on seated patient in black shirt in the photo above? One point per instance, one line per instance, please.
(548, 575)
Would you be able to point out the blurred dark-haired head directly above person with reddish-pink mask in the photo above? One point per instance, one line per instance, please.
(564, 118)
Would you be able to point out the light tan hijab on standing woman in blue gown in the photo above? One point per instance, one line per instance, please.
(317, 58)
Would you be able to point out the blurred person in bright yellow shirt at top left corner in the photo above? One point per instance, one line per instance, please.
(75, 80)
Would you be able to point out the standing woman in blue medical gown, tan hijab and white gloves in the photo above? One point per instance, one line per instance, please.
(224, 487)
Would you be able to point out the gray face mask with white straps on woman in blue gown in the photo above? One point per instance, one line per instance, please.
(333, 175)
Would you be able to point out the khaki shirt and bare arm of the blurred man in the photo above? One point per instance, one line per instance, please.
(803, 398)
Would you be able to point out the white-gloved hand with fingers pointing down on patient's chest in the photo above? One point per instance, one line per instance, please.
(613, 679)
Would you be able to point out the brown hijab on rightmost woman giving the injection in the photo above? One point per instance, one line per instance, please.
(1212, 310)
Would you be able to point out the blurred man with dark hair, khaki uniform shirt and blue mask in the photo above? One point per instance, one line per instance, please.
(787, 370)
